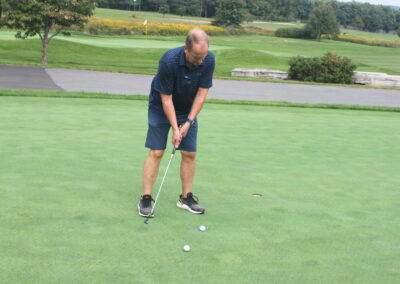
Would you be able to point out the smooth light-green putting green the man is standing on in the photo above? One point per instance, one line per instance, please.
(70, 175)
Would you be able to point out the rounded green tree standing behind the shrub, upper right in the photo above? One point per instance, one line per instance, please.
(323, 22)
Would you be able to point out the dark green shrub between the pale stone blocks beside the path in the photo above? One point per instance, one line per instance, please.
(330, 68)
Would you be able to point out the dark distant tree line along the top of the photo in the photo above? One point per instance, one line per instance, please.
(362, 16)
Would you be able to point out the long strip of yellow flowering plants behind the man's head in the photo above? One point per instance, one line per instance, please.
(96, 26)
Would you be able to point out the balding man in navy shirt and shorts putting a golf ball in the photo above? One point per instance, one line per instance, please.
(177, 95)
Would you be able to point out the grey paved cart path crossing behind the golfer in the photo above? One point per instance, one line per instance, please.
(38, 78)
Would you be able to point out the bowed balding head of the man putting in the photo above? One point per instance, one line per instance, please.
(196, 47)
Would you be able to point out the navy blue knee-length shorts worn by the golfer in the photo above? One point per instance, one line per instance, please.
(157, 133)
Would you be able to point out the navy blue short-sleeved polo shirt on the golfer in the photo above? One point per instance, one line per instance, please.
(176, 79)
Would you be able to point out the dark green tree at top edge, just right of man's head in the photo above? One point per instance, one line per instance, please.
(229, 13)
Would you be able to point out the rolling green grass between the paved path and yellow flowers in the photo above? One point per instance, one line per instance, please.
(132, 54)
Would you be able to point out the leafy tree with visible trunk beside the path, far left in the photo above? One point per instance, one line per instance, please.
(41, 17)
